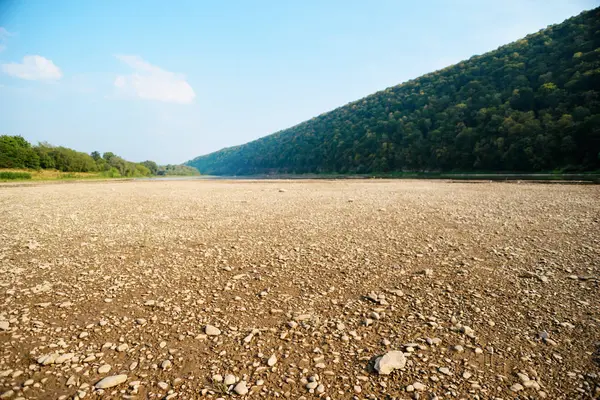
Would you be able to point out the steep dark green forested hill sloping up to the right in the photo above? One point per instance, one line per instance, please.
(532, 105)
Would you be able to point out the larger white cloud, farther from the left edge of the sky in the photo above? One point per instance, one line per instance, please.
(150, 82)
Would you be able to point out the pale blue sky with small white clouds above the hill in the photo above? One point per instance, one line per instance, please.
(172, 80)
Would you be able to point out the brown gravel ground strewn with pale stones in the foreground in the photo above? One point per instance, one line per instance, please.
(231, 289)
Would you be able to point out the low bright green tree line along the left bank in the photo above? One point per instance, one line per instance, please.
(18, 153)
